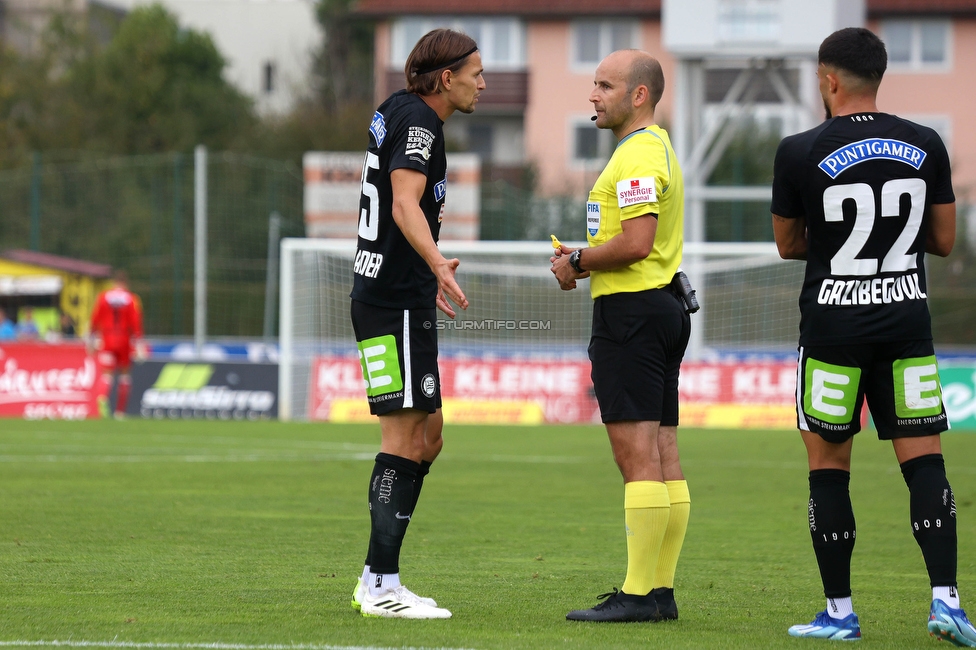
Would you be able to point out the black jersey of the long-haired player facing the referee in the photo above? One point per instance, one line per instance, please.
(405, 133)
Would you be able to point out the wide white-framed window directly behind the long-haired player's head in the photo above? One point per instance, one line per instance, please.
(501, 41)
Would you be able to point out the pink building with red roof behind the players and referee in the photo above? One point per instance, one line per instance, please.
(540, 56)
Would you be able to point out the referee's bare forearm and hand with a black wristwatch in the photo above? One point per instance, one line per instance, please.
(632, 245)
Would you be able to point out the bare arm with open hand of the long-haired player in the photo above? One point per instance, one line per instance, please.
(408, 188)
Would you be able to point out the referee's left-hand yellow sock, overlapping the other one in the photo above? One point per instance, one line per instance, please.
(646, 509)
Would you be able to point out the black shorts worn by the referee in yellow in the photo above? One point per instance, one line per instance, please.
(636, 348)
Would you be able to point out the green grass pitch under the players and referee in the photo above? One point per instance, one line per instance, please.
(222, 534)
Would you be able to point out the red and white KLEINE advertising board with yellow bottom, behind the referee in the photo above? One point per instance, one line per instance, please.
(498, 391)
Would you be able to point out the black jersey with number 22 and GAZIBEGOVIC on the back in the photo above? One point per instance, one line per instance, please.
(864, 183)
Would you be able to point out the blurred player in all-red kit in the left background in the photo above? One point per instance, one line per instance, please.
(116, 331)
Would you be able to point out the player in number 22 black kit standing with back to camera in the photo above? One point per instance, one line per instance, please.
(862, 198)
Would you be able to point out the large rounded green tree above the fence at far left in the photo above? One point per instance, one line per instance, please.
(153, 87)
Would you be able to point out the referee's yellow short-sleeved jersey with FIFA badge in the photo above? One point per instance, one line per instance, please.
(642, 177)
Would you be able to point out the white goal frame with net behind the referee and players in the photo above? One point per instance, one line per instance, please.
(748, 297)
